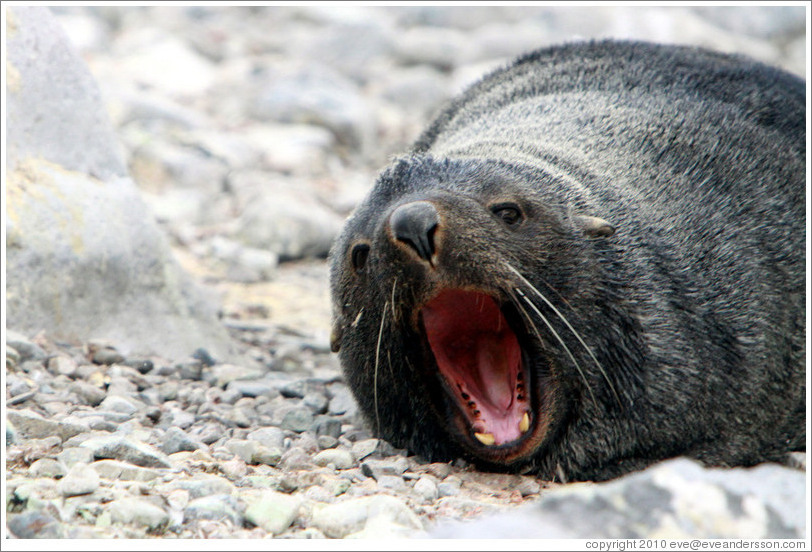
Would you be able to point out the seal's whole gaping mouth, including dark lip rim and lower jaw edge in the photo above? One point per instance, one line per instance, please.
(480, 360)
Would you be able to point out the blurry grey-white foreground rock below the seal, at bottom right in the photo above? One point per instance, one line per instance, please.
(677, 499)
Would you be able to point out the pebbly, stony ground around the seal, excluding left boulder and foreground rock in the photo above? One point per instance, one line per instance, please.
(252, 133)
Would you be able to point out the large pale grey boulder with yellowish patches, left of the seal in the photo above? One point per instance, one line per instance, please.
(84, 256)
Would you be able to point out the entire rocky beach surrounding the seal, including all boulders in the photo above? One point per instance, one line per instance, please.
(168, 368)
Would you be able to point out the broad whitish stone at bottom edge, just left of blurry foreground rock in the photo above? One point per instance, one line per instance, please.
(353, 515)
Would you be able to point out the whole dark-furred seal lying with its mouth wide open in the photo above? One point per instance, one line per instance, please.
(591, 261)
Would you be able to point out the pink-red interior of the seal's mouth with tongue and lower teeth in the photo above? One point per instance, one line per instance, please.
(479, 356)
